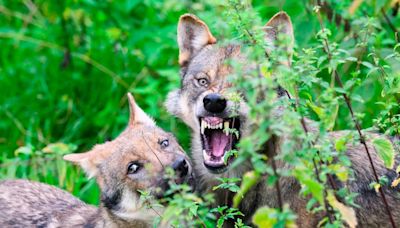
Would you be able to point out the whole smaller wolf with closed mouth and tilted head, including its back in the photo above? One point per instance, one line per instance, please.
(135, 161)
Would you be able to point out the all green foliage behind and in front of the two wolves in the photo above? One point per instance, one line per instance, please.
(65, 68)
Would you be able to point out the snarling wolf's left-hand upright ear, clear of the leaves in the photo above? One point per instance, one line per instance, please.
(193, 35)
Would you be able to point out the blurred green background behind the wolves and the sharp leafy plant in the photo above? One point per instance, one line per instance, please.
(66, 66)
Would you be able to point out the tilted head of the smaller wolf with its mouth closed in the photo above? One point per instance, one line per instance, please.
(135, 161)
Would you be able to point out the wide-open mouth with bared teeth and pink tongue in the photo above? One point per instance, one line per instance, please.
(218, 136)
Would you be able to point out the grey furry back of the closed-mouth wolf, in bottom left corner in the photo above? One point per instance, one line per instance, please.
(30, 204)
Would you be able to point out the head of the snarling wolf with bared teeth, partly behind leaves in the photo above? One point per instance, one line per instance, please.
(201, 101)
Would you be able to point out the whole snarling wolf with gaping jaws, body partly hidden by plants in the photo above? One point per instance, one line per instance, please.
(201, 104)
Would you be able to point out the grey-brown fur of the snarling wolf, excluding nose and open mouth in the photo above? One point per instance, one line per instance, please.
(186, 103)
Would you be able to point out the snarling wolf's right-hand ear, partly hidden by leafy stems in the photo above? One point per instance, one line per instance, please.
(280, 24)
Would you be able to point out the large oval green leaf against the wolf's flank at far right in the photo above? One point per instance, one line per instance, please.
(385, 151)
